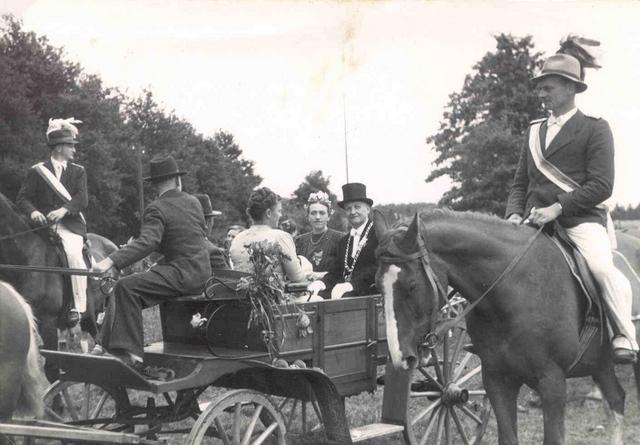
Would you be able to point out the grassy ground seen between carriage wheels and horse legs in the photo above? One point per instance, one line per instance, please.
(585, 422)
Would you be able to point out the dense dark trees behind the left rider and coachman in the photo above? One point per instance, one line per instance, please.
(117, 134)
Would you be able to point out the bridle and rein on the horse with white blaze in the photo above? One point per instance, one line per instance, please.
(431, 339)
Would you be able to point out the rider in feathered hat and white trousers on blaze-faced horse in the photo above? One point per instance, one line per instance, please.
(565, 172)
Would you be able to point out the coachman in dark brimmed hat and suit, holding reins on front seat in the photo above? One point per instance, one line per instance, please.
(174, 226)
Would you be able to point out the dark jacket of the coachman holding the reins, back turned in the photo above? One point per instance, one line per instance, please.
(173, 225)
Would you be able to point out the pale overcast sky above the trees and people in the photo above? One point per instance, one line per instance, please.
(282, 76)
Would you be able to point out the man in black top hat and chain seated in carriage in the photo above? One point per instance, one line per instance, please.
(354, 271)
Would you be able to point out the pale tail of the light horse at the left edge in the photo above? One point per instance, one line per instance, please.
(34, 382)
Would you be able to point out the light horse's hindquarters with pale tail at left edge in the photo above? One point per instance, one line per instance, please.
(22, 380)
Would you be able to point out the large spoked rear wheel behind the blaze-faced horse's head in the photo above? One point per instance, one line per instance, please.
(447, 403)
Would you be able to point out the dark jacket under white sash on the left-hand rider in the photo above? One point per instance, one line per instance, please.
(36, 194)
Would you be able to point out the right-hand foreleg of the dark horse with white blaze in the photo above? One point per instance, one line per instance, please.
(552, 387)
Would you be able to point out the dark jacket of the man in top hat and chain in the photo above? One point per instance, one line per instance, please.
(363, 277)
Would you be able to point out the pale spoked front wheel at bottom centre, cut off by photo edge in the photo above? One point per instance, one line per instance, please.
(232, 419)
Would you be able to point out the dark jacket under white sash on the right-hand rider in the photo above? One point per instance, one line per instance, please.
(582, 150)
